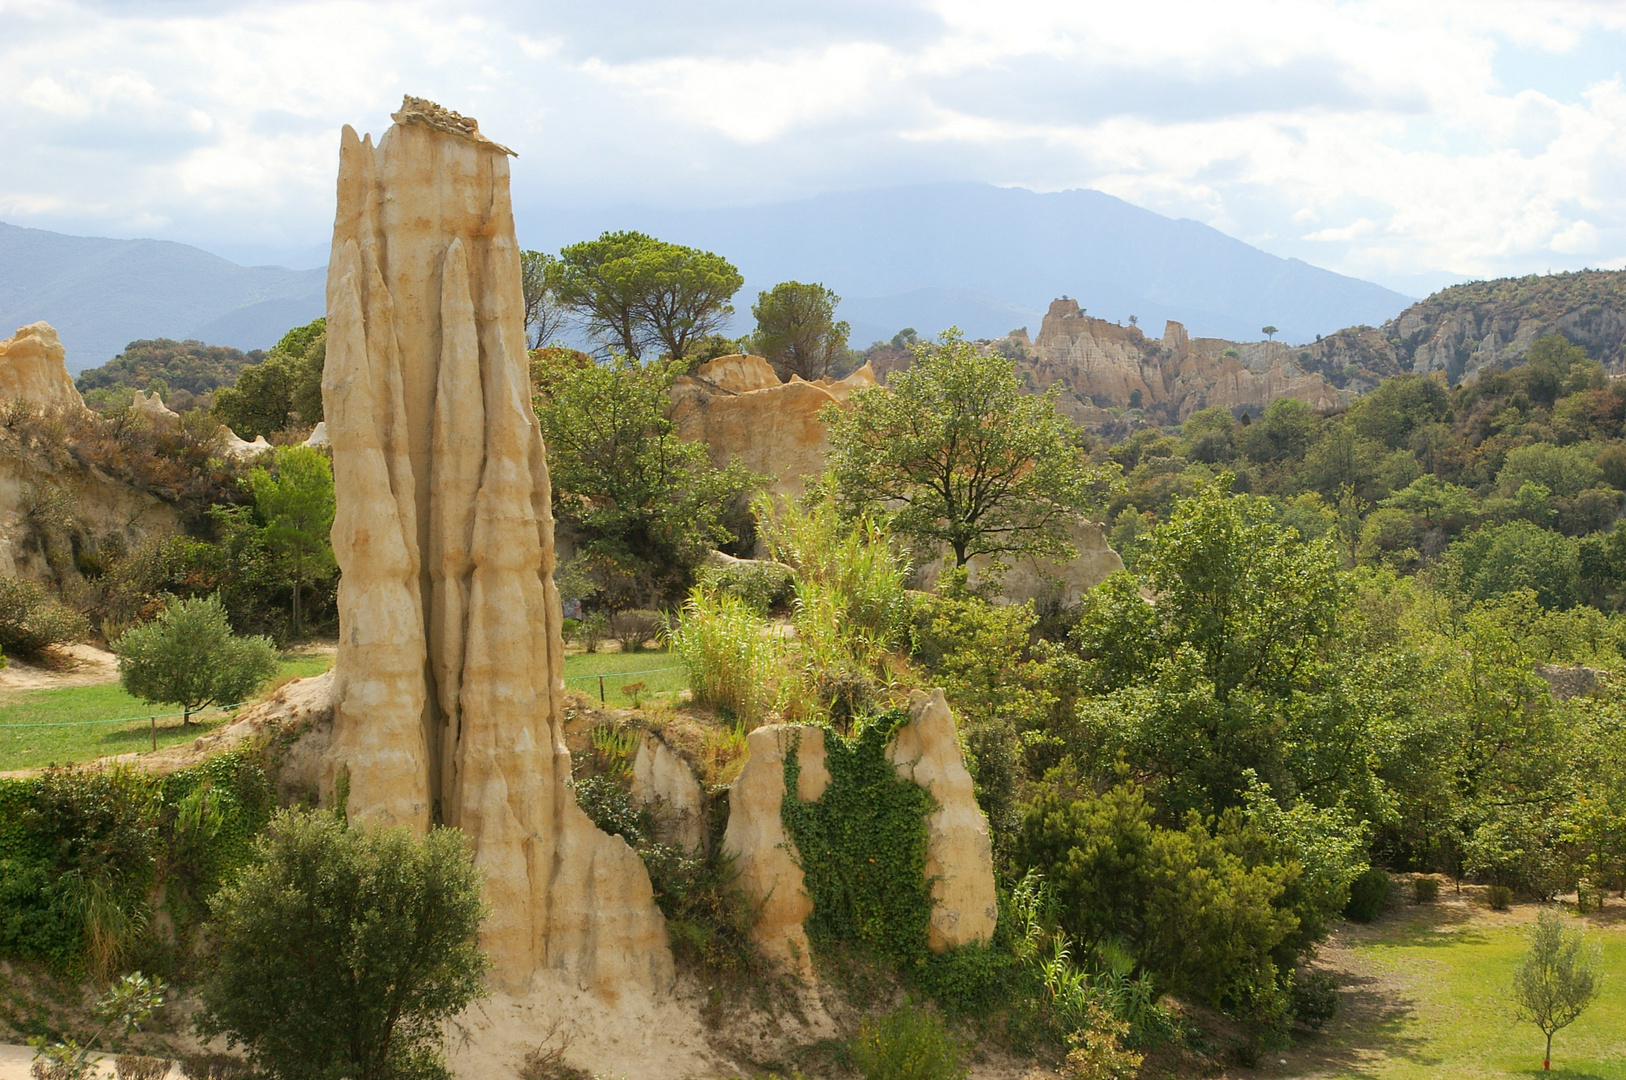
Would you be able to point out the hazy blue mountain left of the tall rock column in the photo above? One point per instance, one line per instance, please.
(103, 294)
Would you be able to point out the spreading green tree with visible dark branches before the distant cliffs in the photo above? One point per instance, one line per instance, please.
(957, 456)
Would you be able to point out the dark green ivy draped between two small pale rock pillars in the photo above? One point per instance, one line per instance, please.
(863, 847)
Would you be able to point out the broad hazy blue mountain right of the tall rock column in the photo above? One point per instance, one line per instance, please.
(991, 259)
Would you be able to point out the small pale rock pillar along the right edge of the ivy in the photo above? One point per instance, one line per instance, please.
(959, 851)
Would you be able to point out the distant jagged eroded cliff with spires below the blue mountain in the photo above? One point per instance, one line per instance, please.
(1102, 365)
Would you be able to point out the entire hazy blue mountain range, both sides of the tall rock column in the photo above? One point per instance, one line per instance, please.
(986, 259)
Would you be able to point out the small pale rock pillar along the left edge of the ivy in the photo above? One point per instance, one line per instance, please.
(762, 850)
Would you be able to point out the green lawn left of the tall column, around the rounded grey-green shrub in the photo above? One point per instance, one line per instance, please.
(27, 747)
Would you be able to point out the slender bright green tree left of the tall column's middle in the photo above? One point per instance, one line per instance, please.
(297, 505)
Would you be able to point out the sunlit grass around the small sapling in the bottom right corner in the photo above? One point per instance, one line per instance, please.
(1427, 995)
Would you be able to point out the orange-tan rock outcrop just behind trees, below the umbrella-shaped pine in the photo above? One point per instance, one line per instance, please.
(742, 412)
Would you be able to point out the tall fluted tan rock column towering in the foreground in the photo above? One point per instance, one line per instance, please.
(450, 673)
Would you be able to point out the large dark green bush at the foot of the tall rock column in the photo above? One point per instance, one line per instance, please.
(344, 951)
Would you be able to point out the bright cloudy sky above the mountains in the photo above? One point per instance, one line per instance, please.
(1393, 141)
